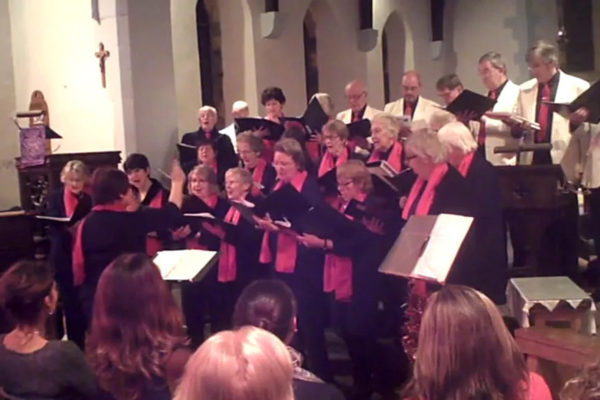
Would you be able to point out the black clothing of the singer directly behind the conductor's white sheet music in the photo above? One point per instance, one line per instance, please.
(201, 300)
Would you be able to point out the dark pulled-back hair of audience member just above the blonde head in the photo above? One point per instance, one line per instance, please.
(267, 304)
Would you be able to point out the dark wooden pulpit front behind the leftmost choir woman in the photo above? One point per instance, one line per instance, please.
(37, 182)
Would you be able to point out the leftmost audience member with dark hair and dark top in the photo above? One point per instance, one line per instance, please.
(31, 366)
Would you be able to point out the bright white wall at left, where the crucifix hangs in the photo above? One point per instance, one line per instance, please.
(53, 45)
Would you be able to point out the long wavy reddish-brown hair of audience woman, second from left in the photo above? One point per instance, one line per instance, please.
(135, 325)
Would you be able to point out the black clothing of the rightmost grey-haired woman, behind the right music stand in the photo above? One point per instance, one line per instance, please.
(490, 275)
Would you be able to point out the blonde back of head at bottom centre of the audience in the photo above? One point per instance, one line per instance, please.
(246, 364)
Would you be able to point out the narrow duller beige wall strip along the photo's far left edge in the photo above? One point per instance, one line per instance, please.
(9, 189)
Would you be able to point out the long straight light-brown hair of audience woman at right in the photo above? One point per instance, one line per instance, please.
(465, 350)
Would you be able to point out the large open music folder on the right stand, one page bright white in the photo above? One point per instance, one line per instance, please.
(427, 247)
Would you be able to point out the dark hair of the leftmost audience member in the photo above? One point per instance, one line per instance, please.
(23, 288)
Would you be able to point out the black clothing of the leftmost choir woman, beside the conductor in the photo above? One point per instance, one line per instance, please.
(61, 260)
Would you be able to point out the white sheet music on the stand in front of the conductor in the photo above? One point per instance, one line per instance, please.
(184, 265)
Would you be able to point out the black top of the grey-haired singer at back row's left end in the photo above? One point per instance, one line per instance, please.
(226, 157)
